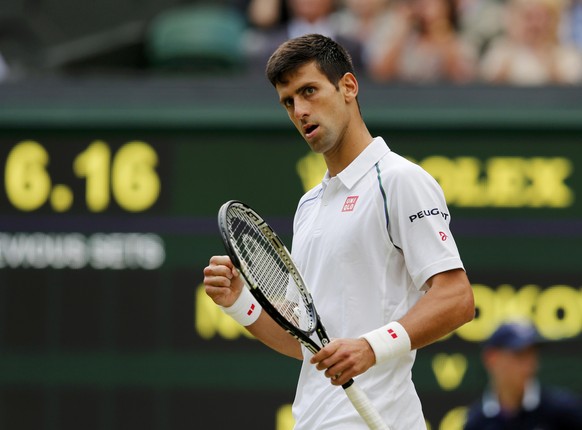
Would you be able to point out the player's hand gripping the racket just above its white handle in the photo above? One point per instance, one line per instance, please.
(343, 359)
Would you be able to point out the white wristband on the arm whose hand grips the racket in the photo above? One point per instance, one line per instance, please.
(389, 341)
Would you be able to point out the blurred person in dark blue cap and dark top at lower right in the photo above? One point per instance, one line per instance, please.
(515, 399)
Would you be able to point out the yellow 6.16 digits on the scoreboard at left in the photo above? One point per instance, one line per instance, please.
(129, 177)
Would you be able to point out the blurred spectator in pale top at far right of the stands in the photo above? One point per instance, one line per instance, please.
(530, 52)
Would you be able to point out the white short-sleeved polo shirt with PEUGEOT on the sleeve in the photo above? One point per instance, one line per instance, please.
(366, 241)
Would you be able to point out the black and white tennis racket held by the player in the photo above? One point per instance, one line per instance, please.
(266, 265)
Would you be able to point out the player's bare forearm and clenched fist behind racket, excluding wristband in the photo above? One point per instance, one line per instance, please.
(224, 285)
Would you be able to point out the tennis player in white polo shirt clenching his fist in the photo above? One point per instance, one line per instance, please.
(373, 244)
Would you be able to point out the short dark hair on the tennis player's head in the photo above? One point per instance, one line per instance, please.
(330, 57)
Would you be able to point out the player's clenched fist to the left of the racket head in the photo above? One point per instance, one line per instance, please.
(222, 281)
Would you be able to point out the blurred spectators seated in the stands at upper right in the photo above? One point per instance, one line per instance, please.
(516, 42)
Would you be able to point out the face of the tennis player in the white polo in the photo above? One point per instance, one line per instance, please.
(319, 110)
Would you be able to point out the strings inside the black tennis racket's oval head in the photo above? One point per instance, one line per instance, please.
(267, 268)
